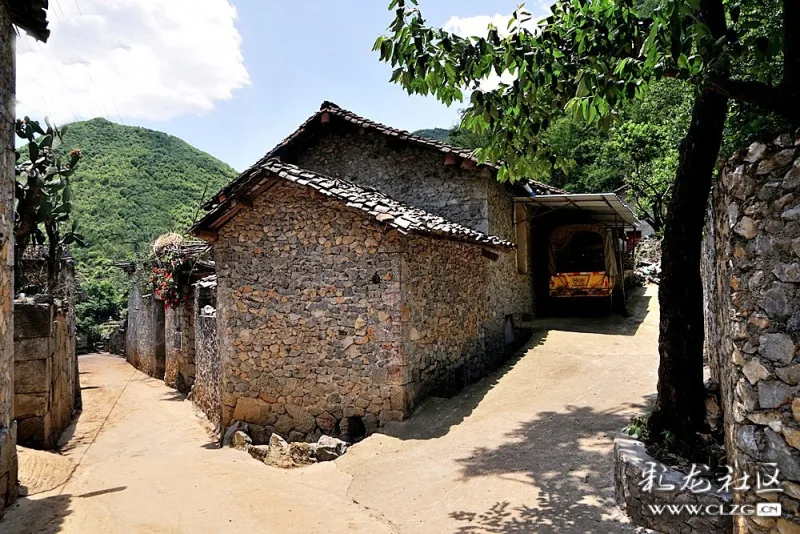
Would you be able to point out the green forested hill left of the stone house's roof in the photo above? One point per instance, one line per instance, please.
(134, 184)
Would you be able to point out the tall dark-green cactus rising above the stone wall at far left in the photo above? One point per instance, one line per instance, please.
(43, 198)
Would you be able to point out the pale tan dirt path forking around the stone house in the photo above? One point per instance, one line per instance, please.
(525, 450)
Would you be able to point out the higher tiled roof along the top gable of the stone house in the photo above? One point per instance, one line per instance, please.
(401, 135)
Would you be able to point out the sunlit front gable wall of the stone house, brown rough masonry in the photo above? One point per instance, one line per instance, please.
(308, 314)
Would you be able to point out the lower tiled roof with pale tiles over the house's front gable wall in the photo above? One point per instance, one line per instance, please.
(406, 219)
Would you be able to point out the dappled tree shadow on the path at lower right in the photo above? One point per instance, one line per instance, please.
(568, 458)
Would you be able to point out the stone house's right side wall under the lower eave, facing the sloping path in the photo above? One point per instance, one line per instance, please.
(444, 310)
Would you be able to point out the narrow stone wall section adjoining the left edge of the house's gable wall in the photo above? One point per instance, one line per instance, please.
(208, 380)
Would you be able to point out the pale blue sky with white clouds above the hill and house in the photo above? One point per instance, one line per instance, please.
(295, 54)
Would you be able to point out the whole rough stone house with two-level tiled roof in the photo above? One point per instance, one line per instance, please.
(361, 268)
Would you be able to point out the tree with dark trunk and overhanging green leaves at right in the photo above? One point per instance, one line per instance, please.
(590, 58)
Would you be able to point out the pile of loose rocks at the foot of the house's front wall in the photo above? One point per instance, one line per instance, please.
(271, 449)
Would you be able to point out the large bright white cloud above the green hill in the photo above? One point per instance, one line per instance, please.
(150, 59)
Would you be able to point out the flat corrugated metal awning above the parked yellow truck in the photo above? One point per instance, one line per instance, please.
(605, 208)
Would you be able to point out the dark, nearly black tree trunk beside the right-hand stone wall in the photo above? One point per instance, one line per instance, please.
(680, 408)
